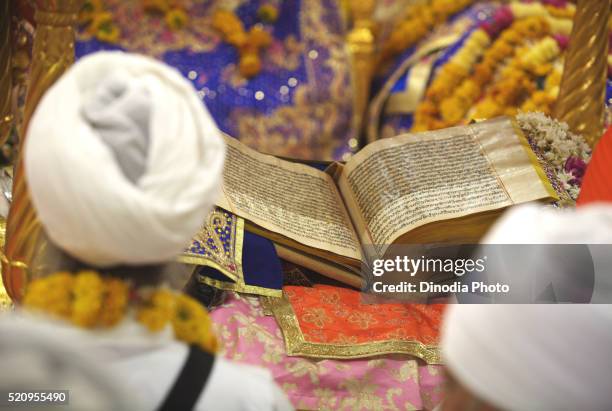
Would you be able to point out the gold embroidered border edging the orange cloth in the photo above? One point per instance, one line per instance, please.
(296, 345)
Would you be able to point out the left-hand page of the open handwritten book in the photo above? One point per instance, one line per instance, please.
(294, 200)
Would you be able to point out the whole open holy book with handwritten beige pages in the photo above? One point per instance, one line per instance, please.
(444, 186)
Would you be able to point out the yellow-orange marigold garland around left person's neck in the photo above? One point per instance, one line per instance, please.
(92, 301)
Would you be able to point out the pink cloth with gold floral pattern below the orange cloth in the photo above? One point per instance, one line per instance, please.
(381, 383)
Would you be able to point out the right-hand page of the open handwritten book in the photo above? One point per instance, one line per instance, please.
(395, 185)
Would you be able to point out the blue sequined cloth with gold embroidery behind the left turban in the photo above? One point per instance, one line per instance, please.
(300, 105)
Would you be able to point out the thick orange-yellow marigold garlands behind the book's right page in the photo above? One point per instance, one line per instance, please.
(460, 83)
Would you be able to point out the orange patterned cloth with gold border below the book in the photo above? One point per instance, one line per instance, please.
(324, 321)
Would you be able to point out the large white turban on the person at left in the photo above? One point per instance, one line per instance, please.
(123, 161)
